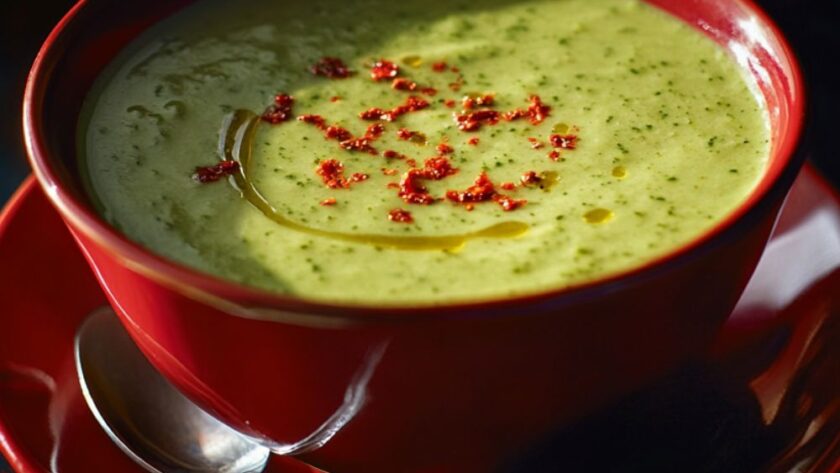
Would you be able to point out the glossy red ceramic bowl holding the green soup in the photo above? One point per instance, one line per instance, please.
(462, 387)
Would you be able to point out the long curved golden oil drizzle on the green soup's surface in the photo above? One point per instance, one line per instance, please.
(236, 143)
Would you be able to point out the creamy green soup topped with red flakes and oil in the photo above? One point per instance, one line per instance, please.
(545, 143)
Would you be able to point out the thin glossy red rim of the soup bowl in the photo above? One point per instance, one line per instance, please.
(784, 166)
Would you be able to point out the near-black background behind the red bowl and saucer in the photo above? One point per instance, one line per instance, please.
(812, 26)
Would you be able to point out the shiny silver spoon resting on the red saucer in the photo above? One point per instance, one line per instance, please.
(153, 423)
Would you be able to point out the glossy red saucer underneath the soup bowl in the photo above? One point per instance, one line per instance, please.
(783, 340)
